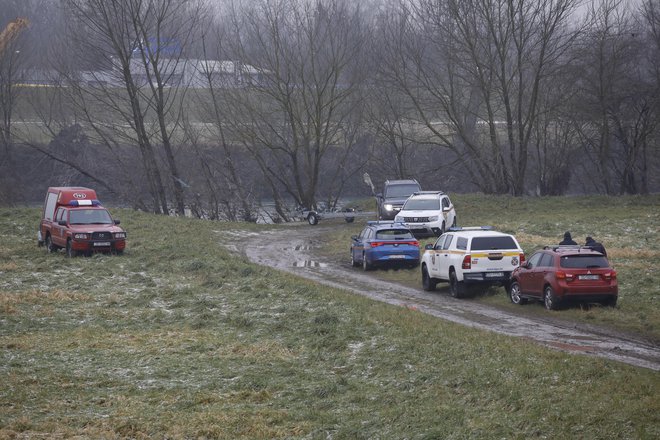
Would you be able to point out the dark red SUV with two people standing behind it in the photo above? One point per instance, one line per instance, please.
(561, 274)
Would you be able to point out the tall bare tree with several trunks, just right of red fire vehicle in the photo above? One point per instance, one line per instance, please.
(137, 45)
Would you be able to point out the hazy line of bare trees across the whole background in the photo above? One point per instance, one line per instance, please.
(294, 100)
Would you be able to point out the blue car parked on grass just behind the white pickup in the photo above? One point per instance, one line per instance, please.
(384, 244)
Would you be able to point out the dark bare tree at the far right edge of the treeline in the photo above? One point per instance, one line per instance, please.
(616, 99)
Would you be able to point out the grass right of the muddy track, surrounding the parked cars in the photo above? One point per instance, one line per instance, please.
(627, 226)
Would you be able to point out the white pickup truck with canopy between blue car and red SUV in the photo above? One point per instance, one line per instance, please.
(475, 257)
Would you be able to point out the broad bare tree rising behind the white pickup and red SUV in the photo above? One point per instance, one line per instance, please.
(474, 71)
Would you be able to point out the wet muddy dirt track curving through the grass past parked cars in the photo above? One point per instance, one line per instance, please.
(295, 250)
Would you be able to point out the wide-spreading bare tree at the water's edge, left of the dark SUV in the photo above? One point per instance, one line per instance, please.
(303, 93)
